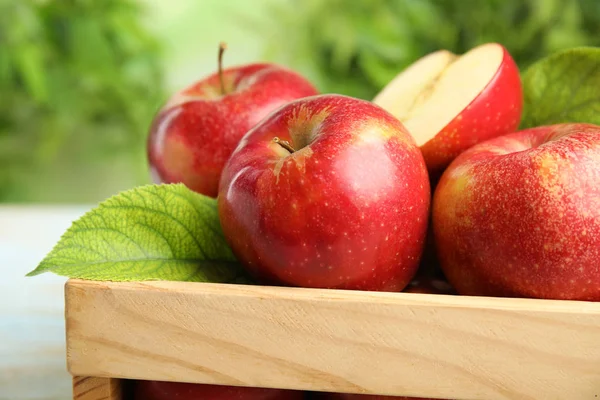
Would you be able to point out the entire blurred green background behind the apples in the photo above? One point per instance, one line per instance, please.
(80, 80)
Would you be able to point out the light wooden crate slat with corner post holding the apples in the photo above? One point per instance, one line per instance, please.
(441, 346)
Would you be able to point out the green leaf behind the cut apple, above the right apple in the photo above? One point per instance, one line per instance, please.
(562, 88)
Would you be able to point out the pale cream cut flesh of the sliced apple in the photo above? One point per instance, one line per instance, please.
(433, 91)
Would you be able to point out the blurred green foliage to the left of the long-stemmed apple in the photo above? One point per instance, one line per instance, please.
(79, 83)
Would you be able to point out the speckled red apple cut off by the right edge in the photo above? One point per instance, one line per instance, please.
(519, 215)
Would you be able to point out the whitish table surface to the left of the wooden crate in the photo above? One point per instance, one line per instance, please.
(32, 332)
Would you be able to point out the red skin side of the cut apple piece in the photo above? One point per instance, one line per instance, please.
(494, 112)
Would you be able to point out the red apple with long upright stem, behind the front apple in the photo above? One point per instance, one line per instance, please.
(194, 133)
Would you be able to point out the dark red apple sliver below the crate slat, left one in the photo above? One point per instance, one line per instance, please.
(157, 390)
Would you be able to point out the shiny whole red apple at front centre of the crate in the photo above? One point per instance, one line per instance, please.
(329, 191)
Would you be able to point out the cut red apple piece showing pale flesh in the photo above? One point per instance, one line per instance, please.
(450, 102)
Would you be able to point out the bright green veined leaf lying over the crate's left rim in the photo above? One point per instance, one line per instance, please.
(154, 232)
